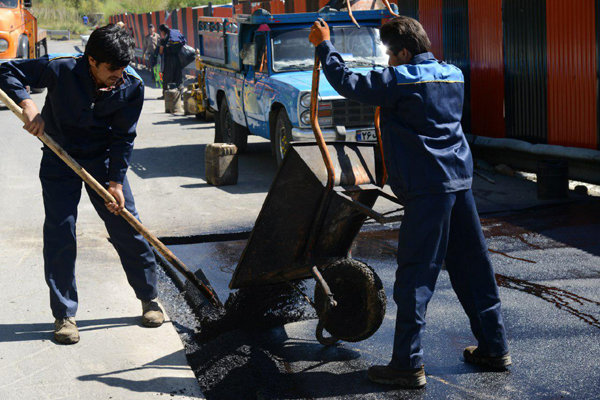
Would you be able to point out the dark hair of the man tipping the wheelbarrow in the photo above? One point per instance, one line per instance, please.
(405, 33)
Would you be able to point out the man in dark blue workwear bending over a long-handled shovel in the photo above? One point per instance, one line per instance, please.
(93, 104)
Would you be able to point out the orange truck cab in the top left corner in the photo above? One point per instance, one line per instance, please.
(19, 36)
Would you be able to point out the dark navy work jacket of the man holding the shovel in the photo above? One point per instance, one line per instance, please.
(86, 122)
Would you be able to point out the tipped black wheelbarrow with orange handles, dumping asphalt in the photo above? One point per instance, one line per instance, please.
(320, 198)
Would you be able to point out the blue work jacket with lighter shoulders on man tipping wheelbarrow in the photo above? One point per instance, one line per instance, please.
(421, 107)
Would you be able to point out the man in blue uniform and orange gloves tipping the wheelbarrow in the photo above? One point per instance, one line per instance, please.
(430, 167)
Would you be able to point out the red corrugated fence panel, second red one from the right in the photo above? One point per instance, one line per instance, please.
(487, 68)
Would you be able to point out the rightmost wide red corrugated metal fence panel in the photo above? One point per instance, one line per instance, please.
(571, 55)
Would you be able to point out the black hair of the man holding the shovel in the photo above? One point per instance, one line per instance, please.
(111, 44)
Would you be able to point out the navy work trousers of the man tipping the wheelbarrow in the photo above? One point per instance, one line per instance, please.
(437, 228)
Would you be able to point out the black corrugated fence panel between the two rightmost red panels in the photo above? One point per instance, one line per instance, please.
(525, 69)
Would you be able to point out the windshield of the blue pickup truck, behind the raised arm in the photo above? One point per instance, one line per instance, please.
(359, 48)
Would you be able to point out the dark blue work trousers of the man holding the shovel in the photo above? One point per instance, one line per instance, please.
(61, 189)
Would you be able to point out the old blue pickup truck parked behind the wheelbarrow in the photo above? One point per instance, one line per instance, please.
(258, 73)
